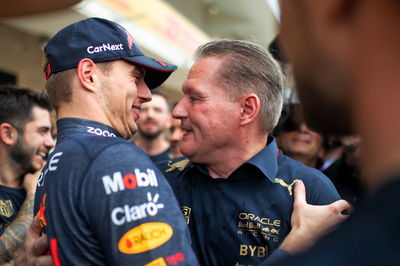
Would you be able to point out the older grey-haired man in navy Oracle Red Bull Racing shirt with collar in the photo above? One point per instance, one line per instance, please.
(236, 190)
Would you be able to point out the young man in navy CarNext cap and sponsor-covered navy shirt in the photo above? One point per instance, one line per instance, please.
(100, 199)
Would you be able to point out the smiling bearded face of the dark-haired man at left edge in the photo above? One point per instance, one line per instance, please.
(32, 147)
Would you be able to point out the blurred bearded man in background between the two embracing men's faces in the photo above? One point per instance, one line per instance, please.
(153, 122)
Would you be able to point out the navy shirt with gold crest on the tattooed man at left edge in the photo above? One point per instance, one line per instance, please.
(11, 200)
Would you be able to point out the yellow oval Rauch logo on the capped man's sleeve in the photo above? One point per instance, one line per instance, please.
(145, 237)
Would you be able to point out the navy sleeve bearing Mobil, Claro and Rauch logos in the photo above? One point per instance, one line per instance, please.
(132, 210)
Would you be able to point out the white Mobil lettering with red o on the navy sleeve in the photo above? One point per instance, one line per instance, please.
(119, 182)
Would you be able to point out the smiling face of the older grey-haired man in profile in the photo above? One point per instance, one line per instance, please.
(209, 118)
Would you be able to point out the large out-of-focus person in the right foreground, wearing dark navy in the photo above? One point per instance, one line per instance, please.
(346, 63)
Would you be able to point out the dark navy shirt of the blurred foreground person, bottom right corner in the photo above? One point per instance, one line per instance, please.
(369, 237)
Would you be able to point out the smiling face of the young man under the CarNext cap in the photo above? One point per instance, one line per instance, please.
(124, 91)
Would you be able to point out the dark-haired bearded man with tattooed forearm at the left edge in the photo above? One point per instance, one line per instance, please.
(25, 134)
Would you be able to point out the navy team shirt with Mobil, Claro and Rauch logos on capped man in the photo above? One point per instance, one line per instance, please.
(102, 202)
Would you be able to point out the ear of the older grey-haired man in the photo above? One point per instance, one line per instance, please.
(249, 108)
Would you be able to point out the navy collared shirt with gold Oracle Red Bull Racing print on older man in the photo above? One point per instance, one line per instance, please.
(241, 220)
